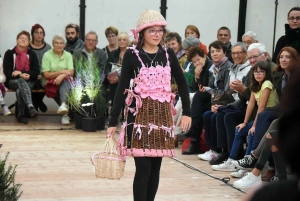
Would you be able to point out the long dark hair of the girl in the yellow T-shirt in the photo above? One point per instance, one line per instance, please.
(262, 65)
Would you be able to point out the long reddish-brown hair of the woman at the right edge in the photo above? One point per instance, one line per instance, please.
(294, 59)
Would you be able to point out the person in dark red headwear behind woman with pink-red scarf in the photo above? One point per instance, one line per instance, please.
(39, 46)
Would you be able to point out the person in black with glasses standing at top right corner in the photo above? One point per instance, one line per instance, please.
(292, 33)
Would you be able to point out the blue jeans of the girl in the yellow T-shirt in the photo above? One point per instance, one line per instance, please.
(239, 140)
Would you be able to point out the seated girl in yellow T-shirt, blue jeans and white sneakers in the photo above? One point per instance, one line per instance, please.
(264, 95)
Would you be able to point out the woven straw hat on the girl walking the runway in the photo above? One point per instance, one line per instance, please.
(150, 18)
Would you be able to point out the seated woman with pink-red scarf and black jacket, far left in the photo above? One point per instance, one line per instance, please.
(21, 68)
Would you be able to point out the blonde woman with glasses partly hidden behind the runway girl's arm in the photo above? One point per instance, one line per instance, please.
(114, 63)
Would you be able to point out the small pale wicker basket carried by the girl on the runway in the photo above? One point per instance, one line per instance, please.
(109, 163)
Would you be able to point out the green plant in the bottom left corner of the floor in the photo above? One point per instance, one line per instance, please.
(9, 190)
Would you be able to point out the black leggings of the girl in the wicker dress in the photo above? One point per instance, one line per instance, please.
(146, 178)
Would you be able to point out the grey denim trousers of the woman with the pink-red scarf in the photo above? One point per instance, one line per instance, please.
(23, 93)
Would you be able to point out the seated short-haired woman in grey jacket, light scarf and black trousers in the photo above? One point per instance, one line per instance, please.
(218, 78)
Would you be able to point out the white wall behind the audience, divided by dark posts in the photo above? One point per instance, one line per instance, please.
(208, 16)
